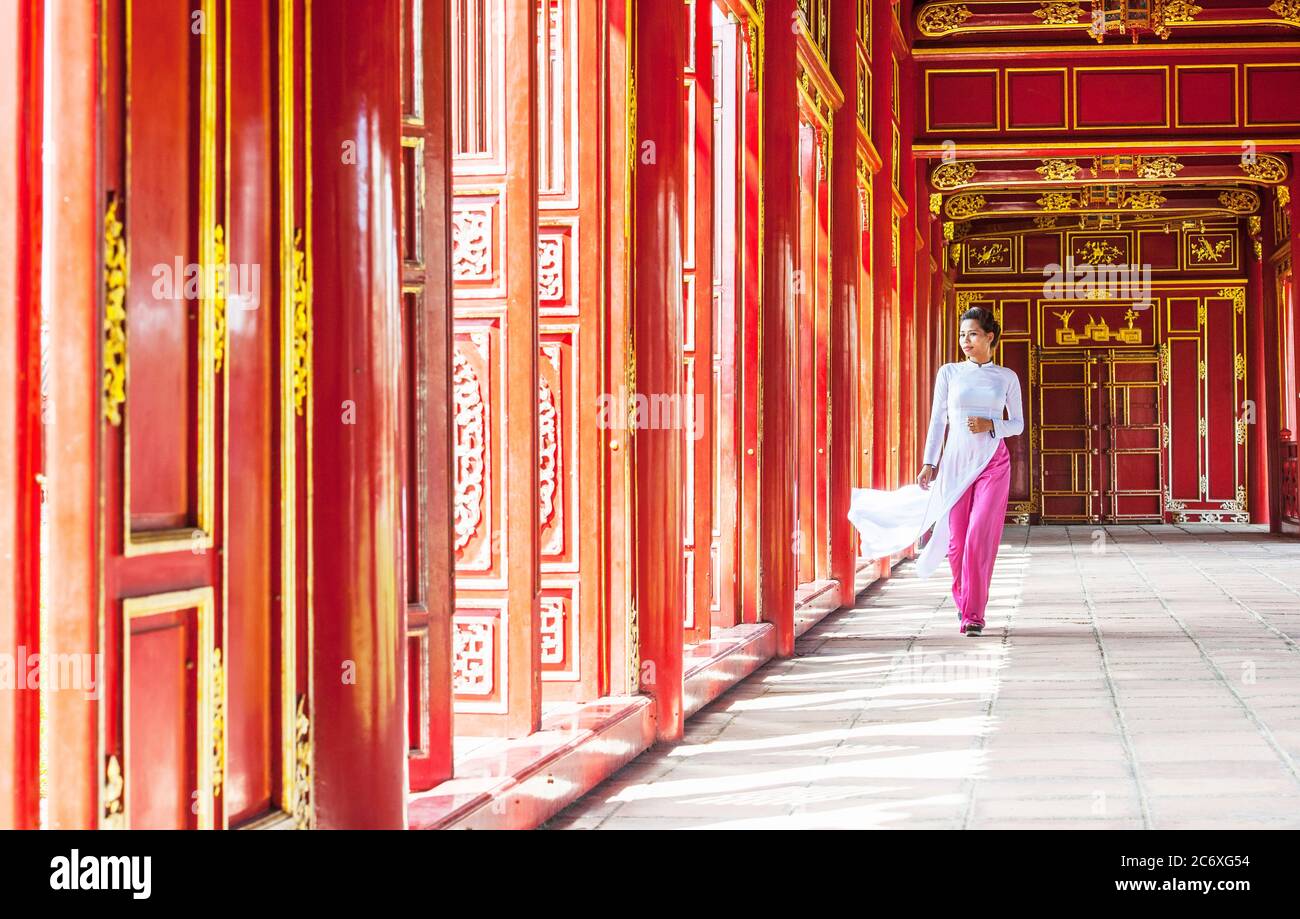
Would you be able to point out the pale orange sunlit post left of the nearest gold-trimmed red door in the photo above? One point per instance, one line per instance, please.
(75, 330)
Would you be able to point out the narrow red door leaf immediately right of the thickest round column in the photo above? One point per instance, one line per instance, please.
(426, 389)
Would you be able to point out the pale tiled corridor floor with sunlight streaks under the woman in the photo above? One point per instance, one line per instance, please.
(1129, 678)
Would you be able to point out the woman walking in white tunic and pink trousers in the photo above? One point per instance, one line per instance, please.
(963, 487)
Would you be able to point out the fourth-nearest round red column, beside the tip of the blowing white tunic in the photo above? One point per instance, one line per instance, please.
(846, 267)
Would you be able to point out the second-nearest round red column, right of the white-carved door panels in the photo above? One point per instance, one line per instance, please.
(660, 201)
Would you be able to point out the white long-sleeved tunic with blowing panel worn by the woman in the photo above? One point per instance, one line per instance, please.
(894, 521)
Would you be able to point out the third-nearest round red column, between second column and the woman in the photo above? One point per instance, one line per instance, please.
(781, 253)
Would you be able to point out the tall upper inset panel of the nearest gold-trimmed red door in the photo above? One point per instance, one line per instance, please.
(164, 137)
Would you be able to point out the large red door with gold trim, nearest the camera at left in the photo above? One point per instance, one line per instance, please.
(206, 306)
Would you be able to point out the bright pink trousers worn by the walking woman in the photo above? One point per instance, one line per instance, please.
(976, 526)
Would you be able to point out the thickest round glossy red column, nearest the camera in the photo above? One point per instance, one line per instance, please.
(359, 730)
